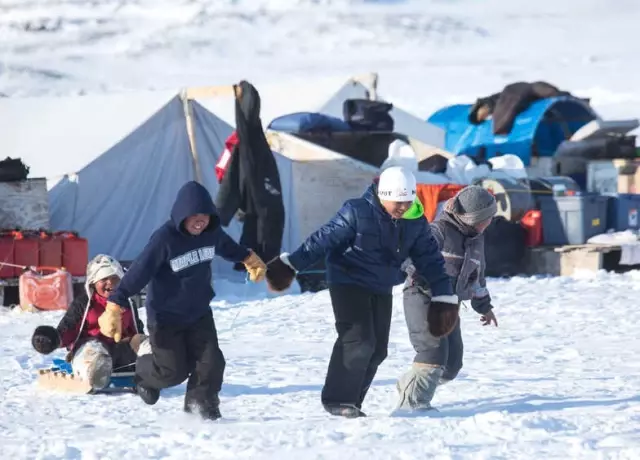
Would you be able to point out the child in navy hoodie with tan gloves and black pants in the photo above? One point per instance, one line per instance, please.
(176, 265)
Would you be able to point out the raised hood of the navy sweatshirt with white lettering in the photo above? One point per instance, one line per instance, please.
(194, 198)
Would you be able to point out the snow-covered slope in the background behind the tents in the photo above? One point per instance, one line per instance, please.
(428, 52)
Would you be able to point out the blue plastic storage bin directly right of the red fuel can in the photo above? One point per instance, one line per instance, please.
(572, 219)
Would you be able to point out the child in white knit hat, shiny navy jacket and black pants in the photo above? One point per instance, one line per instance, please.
(365, 245)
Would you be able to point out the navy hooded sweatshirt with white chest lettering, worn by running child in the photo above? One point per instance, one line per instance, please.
(177, 265)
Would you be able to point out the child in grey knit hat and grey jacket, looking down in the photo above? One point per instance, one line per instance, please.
(459, 233)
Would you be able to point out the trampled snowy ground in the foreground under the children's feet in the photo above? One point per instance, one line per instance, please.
(558, 379)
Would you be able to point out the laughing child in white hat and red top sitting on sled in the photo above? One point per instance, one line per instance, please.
(92, 355)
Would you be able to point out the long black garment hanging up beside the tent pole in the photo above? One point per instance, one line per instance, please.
(252, 181)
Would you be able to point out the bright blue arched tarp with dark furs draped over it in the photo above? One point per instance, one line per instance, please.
(538, 130)
